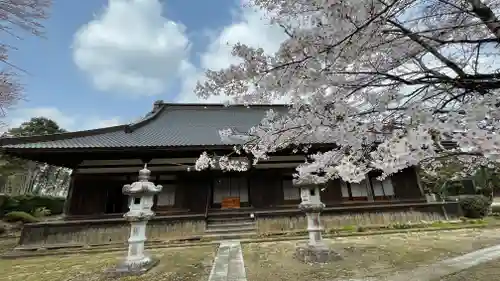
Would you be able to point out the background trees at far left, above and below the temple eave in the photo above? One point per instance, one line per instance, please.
(36, 177)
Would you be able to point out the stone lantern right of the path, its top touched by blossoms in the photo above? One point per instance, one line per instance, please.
(315, 250)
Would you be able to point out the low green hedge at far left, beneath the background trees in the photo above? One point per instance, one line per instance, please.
(30, 203)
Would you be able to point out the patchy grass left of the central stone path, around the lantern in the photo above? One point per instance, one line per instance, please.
(176, 264)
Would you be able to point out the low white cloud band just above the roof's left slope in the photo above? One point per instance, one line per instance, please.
(66, 121)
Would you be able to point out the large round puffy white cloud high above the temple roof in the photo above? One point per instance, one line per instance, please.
(131, 48)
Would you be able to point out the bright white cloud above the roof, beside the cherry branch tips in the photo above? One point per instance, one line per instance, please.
(250, 28)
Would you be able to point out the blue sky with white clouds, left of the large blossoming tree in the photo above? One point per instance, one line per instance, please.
(106, 62)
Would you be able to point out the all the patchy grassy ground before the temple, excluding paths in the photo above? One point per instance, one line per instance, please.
(366, 256)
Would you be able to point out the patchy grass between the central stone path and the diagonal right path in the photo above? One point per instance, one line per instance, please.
(367, 256)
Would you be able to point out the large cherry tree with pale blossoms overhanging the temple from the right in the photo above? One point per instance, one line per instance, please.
(387, 81)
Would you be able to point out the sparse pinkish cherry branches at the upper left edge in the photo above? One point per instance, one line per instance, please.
(17, 16)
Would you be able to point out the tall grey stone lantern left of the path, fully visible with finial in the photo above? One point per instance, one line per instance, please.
(141, 194)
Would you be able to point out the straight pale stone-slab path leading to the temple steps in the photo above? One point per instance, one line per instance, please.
(228, 264)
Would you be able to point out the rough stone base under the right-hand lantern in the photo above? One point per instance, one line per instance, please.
(319, 253)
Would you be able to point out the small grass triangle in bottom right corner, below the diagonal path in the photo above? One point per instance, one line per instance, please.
(484, 272)
